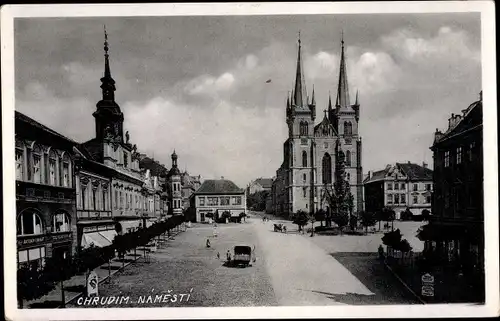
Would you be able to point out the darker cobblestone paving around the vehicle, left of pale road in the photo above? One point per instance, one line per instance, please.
(185, 264)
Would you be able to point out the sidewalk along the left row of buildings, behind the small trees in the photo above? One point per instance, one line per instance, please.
(75, 287)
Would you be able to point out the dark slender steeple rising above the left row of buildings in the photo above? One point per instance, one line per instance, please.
(108, 116)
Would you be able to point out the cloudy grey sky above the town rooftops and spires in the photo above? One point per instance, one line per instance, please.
(198, 84)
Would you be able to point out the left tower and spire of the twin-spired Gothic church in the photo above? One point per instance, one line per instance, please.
(299, 155)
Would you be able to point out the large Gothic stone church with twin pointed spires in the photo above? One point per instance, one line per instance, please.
(309, 153)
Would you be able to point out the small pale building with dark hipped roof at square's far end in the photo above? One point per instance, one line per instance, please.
(219, 196)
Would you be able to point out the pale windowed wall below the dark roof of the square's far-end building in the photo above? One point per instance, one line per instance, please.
(211, 203)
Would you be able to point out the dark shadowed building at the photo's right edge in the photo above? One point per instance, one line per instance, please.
(456, 230)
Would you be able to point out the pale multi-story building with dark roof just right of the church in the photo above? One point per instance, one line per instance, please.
(399, 186)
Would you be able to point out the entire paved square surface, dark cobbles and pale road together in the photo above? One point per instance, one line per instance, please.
(291, 269)
